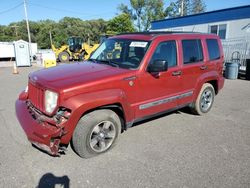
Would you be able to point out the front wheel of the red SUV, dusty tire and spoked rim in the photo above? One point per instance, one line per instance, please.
(85, 134)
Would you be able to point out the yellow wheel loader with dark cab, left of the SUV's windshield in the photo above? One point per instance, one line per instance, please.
(76, 49)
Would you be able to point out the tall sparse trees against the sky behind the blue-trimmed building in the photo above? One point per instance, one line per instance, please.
(143, 12)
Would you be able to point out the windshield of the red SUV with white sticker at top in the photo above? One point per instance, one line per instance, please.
(122, 53)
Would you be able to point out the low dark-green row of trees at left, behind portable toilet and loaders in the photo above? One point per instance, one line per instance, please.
(60, 31)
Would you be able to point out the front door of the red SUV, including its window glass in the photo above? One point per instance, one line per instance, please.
(159, 92)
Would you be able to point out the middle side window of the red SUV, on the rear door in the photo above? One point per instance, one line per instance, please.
(192, 51)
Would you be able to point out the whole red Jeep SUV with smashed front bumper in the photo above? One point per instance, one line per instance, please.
(129, 78)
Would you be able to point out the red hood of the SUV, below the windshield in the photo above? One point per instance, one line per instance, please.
(68, 76)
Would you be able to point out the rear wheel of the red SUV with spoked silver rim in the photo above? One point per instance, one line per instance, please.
(204, 101)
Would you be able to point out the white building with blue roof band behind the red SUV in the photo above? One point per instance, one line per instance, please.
(227, 23)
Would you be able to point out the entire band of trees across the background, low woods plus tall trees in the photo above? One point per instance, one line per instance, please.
(136, 16)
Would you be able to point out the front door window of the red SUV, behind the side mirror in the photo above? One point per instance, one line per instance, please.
(166, 51)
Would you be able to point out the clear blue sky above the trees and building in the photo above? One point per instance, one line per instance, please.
(13, 10)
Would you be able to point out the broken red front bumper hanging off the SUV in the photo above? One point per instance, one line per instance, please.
(42, 131)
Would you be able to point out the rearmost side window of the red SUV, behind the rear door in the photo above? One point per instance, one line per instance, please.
(213, 49)
